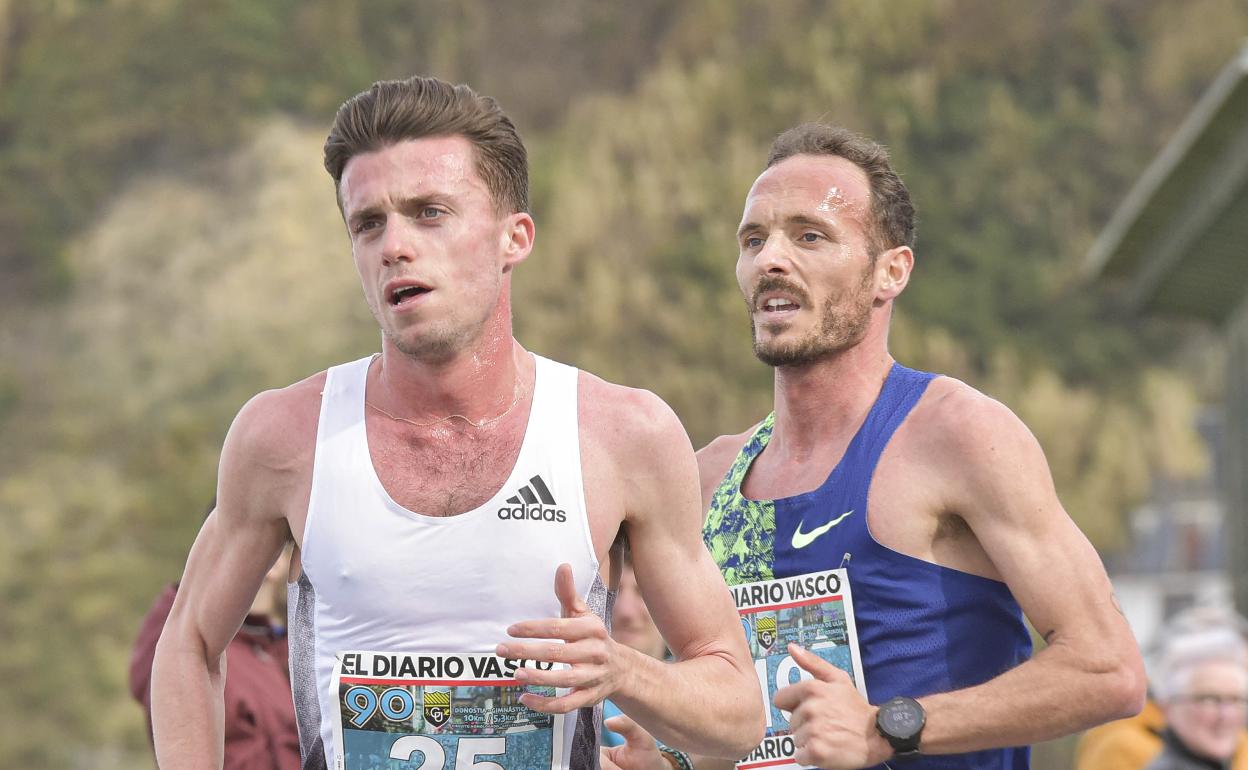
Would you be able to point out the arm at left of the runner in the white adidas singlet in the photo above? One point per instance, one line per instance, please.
(238, 545)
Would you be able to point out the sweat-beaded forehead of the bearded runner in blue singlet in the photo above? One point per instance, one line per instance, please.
(812, 185)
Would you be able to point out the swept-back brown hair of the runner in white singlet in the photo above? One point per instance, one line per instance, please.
(399, 110)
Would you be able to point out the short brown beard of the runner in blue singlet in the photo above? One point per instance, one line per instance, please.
(843, 324)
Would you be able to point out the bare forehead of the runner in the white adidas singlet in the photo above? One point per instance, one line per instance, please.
(441, 165)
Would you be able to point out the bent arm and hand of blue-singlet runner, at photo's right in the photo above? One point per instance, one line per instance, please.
(975, 459)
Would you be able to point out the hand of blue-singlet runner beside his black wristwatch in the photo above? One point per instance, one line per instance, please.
(833, 726)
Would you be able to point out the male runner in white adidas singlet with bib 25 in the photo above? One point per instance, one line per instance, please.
(454, 501)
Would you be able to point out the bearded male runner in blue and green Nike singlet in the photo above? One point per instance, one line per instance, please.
(924, 510)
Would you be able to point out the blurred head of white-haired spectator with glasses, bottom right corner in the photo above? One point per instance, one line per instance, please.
(1204, 694)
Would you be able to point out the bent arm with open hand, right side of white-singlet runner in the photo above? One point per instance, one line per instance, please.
(641, 479)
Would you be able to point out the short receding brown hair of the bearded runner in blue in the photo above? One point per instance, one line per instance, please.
(892, 210)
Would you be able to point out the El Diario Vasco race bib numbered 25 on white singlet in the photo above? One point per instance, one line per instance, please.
(440, 712)
